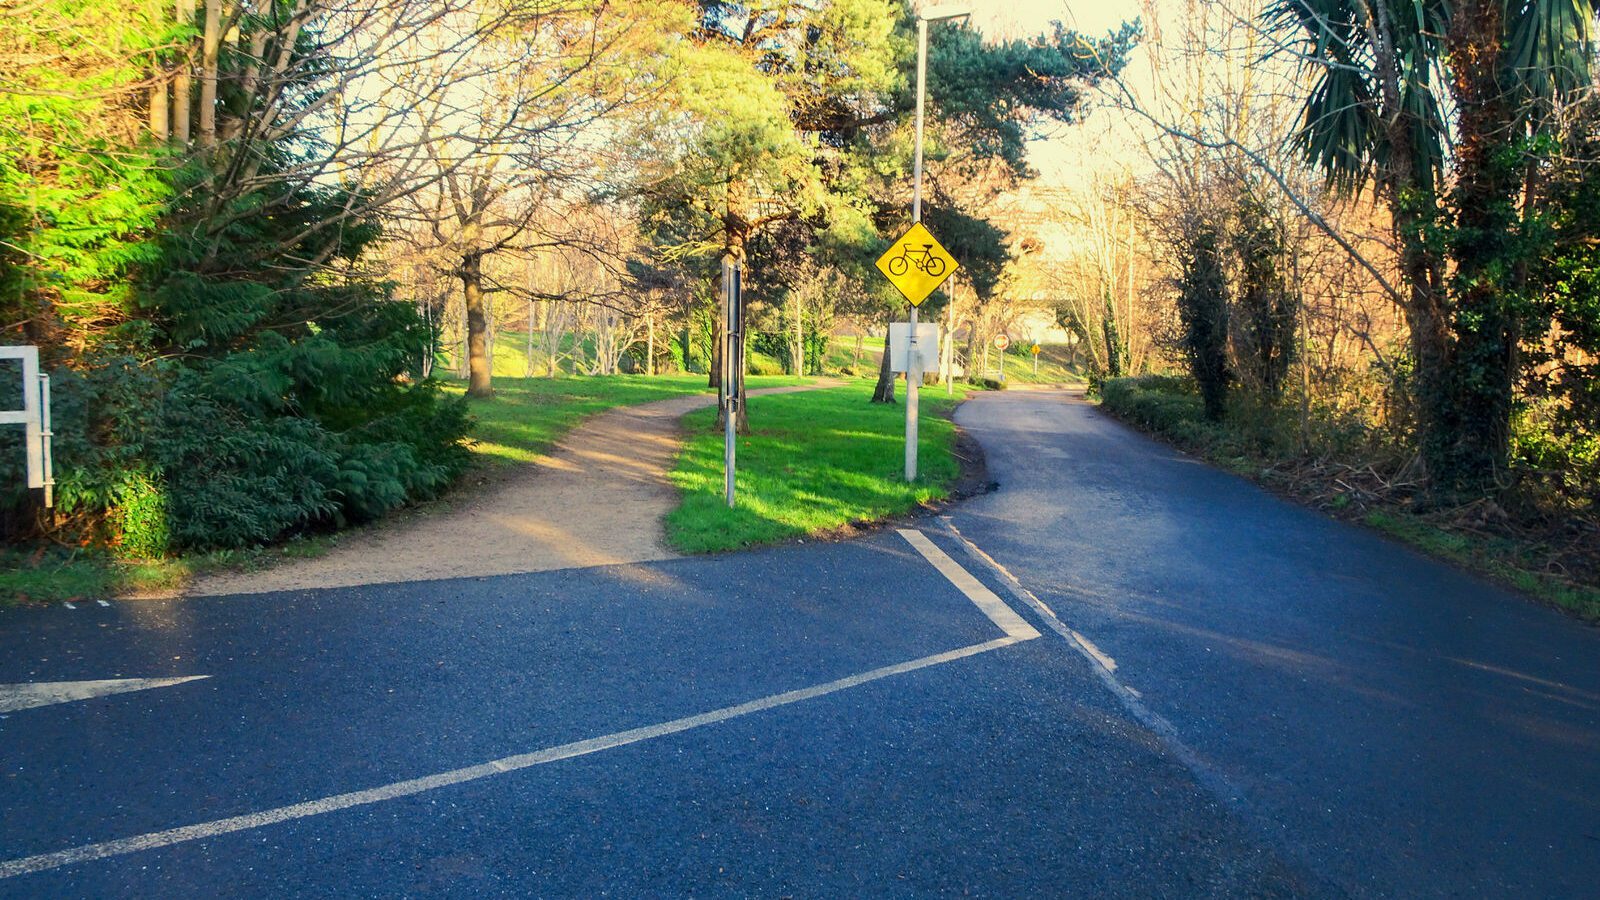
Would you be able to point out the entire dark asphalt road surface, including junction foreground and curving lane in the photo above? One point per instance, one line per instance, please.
(1231, 697)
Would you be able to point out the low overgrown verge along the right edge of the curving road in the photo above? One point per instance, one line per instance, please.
(1170, 409)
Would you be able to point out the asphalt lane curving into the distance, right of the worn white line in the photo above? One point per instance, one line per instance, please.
(1385, 721)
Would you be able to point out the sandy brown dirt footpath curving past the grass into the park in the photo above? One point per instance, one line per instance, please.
(596, 500)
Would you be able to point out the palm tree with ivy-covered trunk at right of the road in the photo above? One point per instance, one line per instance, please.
(1433, 103)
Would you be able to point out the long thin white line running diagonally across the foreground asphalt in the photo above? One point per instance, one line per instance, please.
(204, 830)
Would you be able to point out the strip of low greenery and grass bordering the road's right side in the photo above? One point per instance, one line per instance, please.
(1260, 449)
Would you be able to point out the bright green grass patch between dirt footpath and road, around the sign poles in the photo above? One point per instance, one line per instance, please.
(812, 464)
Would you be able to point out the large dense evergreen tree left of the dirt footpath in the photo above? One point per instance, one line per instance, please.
(228, 369)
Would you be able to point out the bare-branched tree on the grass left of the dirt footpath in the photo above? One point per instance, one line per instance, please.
(511, 155)
